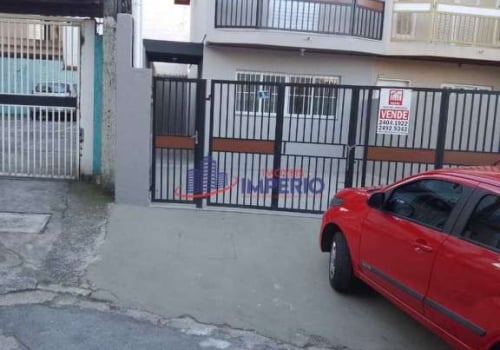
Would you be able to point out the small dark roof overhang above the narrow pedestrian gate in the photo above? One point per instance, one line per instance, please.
(173, 51)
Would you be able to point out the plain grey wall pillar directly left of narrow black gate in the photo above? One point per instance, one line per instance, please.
(133, 122)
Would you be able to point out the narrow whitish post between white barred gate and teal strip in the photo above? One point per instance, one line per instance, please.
(87, 98)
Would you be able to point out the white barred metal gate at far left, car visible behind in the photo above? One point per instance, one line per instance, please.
(39, 93)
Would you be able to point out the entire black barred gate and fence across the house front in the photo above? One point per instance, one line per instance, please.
(282, 146)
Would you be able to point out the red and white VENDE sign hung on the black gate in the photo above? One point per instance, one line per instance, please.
(394, 111)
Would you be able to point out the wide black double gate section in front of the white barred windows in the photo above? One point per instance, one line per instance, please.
(286, 146)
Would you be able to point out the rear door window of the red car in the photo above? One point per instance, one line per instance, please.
(484, 224)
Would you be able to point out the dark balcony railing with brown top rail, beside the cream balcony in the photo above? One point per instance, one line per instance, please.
(363, 18)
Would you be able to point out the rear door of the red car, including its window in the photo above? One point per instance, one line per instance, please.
(464, 293)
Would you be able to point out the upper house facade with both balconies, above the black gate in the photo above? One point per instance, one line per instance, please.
(366, 42)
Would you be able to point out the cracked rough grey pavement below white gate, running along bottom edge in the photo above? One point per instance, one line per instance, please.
(47, 302)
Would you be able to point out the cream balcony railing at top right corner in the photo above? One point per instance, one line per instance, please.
(451, 24)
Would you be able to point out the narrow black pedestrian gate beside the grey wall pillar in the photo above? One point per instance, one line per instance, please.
(178, 140)
